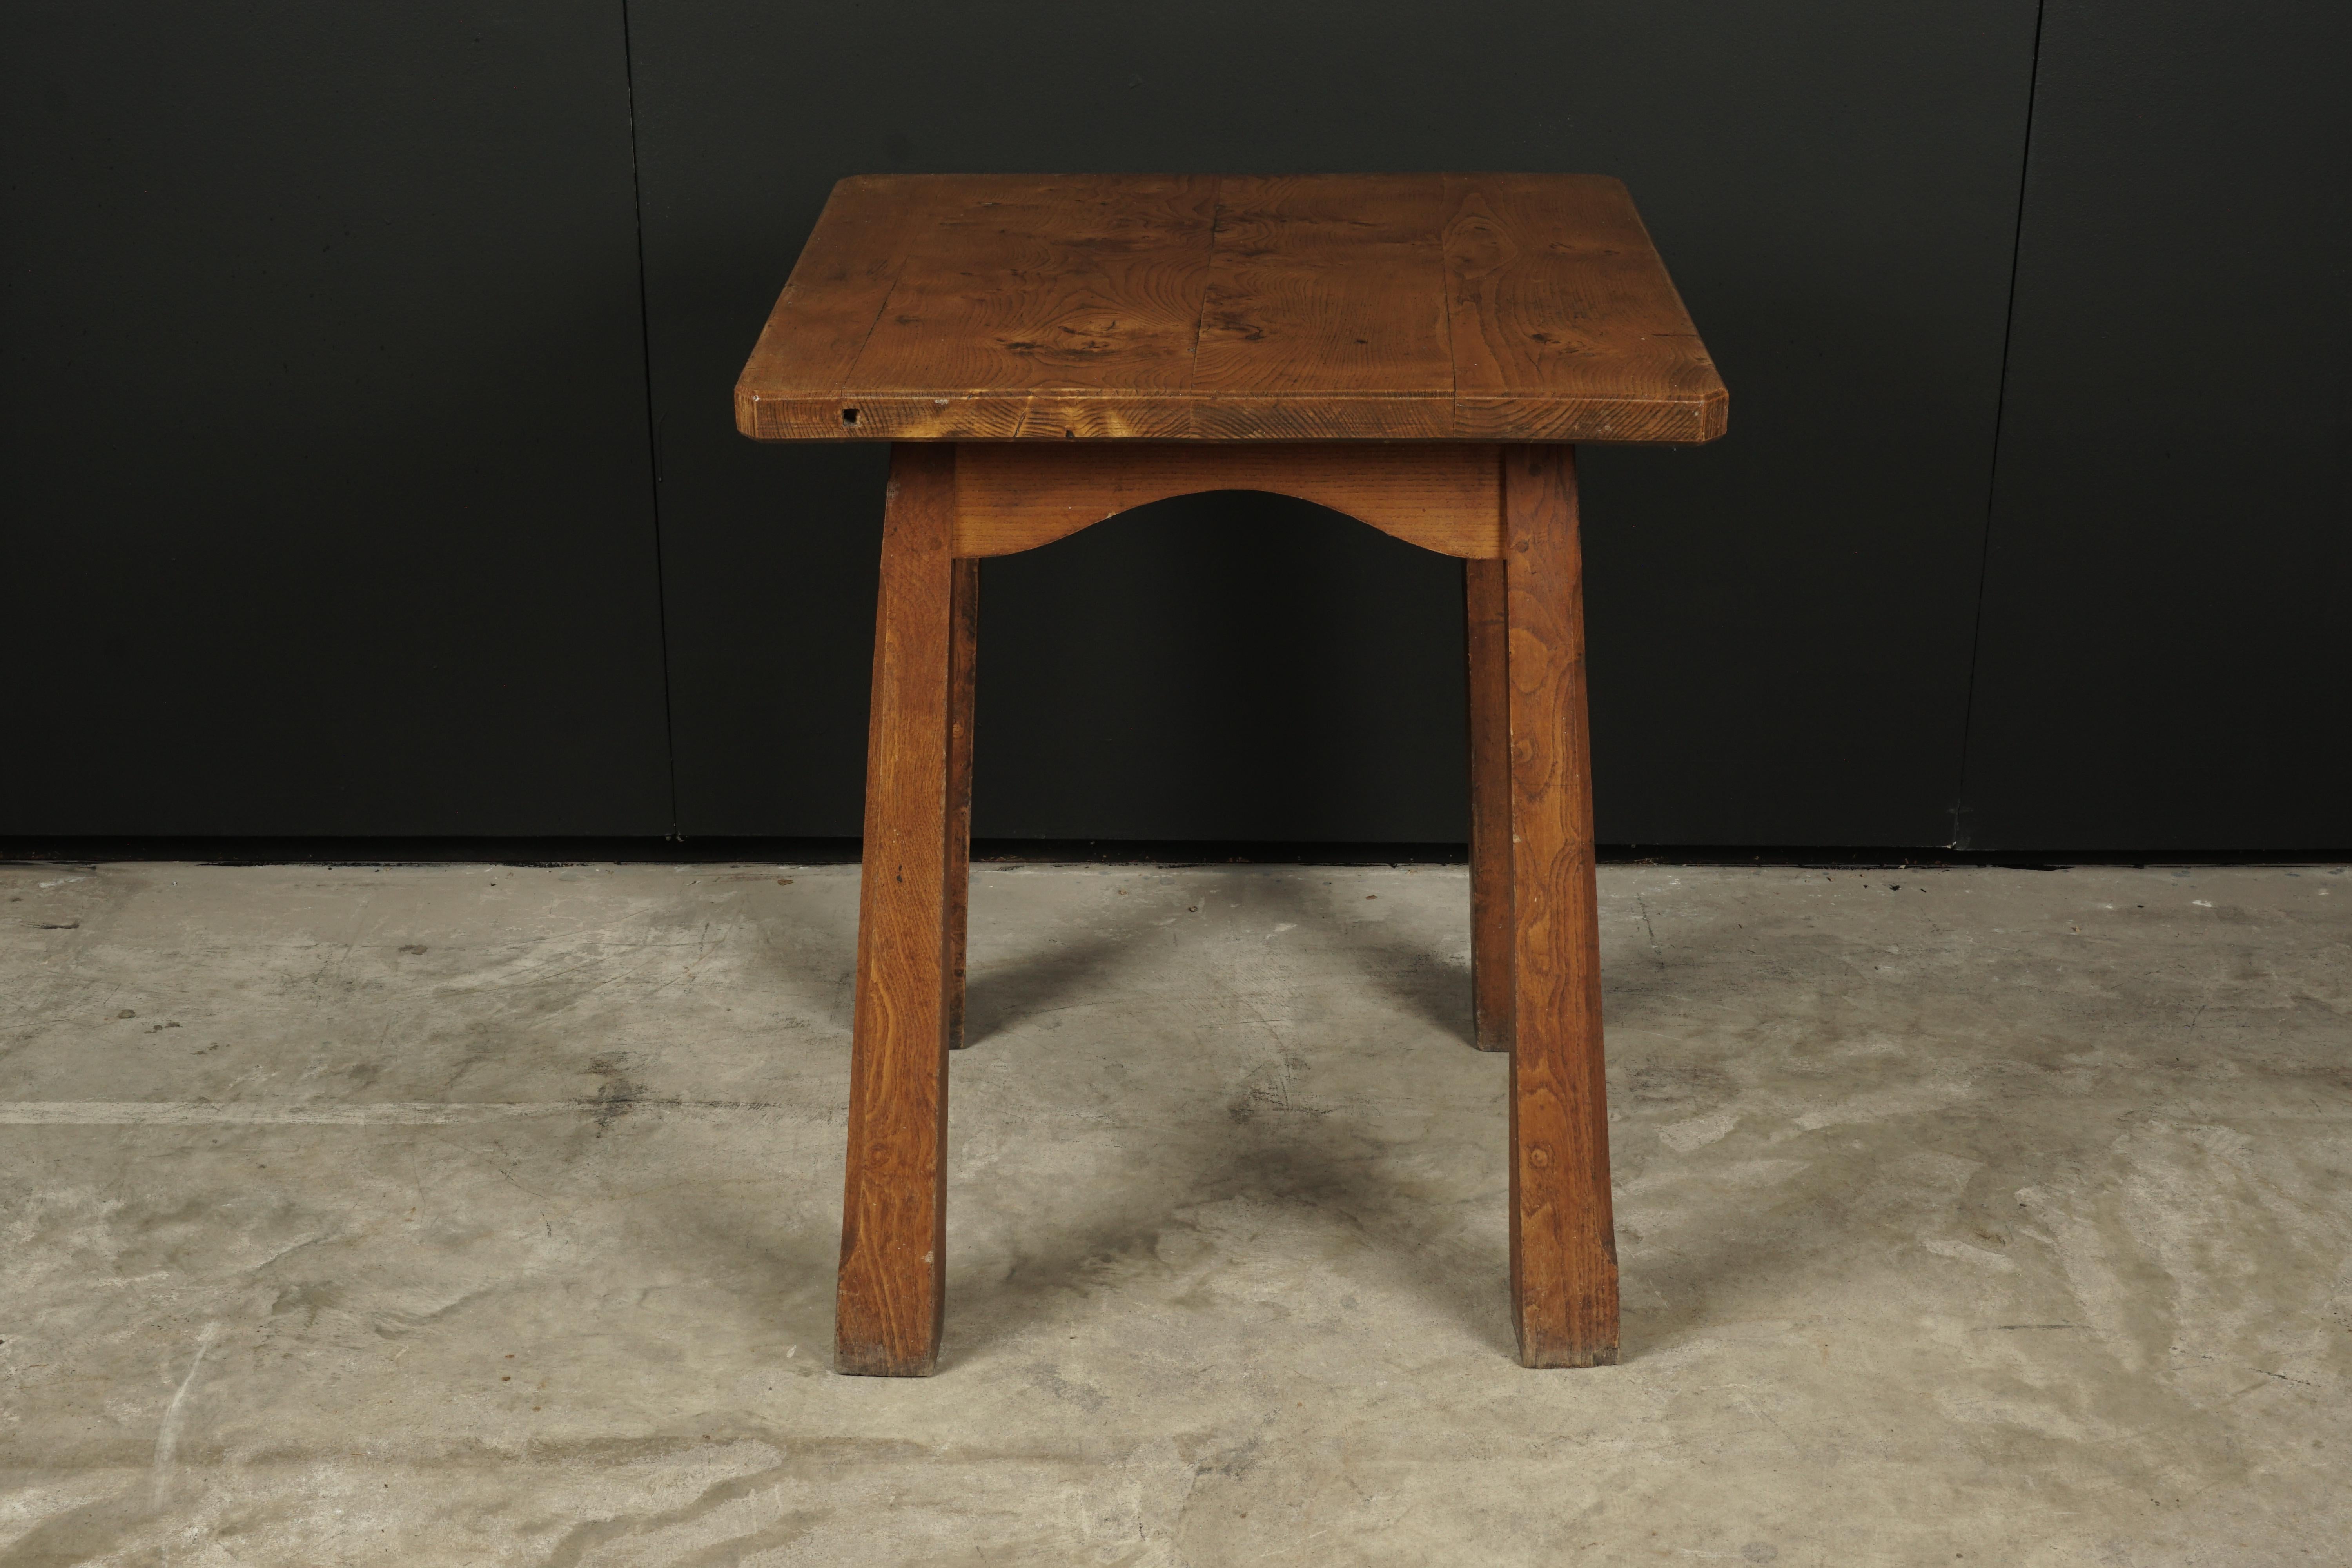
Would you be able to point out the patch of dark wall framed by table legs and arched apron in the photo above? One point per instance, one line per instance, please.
(1252, 662)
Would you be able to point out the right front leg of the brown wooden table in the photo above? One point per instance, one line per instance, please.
(1563, 1242)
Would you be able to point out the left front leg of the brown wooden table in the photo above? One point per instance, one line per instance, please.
(888, 1311)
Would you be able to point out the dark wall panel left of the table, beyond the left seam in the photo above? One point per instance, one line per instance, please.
(326, 427)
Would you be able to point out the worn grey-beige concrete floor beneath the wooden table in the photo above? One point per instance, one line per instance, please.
(488, 1217)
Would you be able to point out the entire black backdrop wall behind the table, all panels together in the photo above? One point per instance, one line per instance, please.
(370, 467)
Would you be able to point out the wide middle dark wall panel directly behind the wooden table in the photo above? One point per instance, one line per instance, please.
(1782, 622)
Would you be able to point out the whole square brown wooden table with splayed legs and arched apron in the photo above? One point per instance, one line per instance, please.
(1410, 349)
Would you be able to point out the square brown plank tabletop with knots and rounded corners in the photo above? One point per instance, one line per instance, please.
(1332, 307)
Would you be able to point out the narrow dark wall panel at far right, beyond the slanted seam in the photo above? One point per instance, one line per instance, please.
(2165, 645)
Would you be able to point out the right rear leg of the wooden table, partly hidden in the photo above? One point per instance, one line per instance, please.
(1490, 805)
